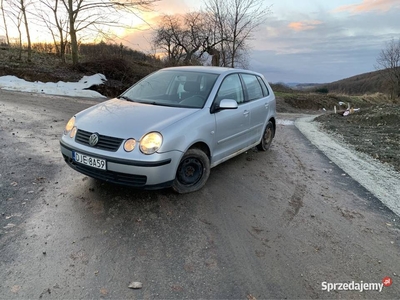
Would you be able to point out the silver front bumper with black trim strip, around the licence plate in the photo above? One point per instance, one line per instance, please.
(155, 174)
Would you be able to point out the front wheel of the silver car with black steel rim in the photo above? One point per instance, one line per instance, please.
(193, 172)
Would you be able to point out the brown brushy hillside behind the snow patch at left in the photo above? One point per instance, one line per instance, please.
(121, 66)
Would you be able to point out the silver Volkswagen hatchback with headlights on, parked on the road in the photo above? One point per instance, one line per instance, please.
(172, 127)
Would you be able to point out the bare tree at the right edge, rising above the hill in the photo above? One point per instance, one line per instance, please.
(389, 62)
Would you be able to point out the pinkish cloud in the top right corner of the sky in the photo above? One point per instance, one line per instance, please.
(369, 5)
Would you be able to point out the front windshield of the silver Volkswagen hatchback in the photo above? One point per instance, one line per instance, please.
(172, 88)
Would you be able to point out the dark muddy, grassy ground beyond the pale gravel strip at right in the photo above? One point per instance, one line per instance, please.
(374, 129)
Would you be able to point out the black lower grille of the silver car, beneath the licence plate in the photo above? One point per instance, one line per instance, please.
(110, 176)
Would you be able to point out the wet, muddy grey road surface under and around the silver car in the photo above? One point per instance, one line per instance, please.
(280, 224)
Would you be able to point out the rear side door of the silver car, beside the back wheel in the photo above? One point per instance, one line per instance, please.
(258, 99)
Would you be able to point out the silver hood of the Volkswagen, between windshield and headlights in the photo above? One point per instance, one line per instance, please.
(125, 119)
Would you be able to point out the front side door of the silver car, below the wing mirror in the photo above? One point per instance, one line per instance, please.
(232, 125)
